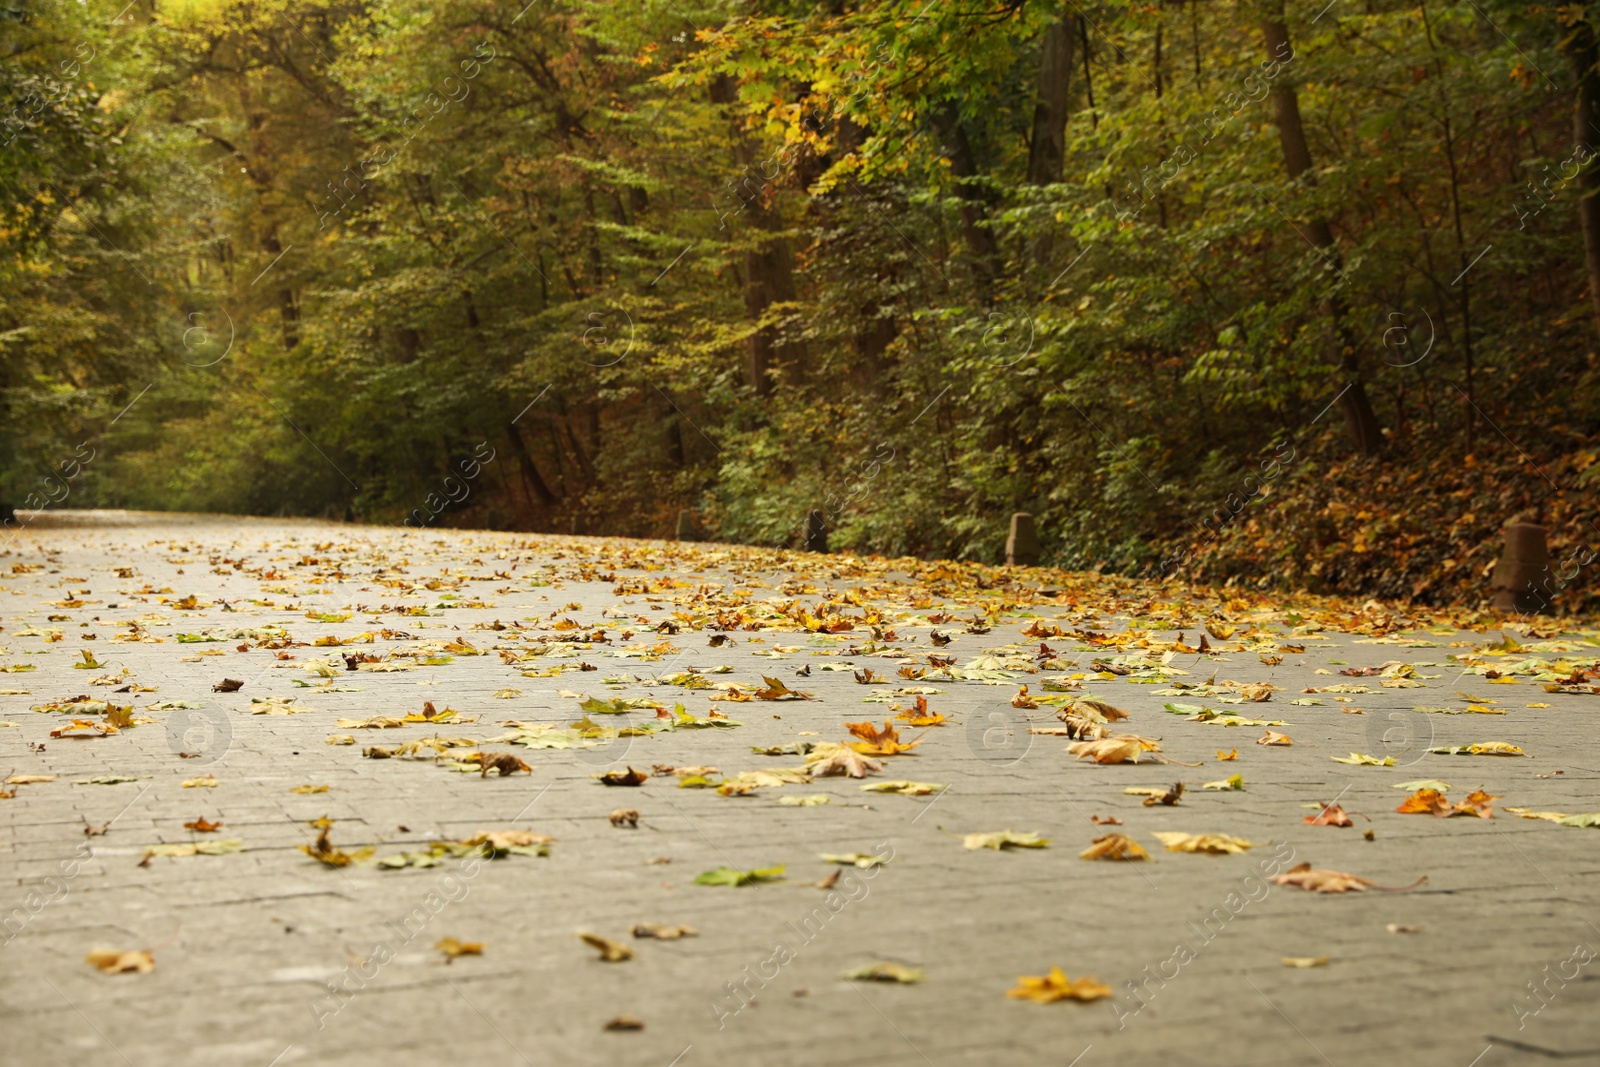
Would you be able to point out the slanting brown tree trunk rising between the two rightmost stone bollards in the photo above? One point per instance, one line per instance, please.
(1361, 422)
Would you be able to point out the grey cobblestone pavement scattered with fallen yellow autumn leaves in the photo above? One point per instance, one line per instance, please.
(271, 957)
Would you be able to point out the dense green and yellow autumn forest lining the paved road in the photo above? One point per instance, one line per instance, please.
(1218, 290)
